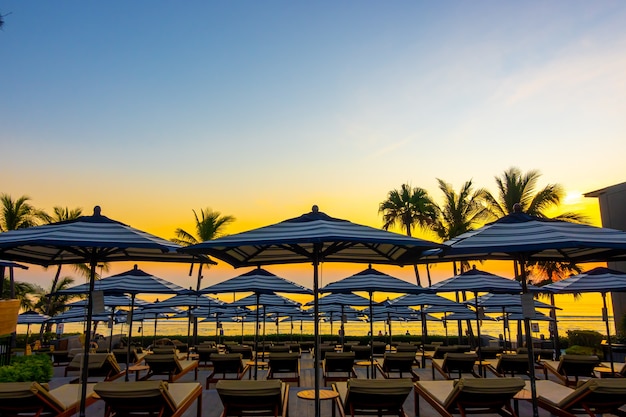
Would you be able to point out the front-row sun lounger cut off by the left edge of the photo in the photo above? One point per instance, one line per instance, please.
(32, 398)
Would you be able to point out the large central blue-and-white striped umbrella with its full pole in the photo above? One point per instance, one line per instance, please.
(314, 237)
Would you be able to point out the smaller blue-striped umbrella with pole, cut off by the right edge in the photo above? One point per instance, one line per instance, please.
(602, 280)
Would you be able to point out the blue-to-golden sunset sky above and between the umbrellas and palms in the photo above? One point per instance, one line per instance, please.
(152, 109)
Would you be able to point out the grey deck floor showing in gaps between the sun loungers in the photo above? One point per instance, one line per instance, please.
(212, 407)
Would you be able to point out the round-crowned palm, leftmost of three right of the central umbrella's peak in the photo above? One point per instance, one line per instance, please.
(408, 207)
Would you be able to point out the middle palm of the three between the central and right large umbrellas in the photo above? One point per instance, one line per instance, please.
(459, 213)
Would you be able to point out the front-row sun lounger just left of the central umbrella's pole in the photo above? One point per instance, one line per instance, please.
(255, 398)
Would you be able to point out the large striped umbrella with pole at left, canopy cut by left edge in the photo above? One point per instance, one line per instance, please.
(92, 240)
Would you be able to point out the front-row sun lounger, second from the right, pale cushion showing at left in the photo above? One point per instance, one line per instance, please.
(465, 396)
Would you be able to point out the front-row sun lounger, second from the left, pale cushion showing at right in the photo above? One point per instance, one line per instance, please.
(142, 397)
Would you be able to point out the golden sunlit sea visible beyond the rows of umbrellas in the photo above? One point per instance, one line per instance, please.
(583, 312)
